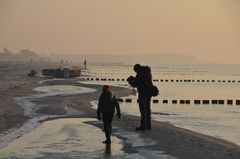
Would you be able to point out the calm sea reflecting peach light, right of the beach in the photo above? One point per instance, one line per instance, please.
(215, 82)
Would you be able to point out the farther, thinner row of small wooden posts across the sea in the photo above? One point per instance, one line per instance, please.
(167, 80)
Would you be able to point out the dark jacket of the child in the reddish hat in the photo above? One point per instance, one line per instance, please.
(107, 104)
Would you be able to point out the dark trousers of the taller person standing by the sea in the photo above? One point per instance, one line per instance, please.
(145, 110)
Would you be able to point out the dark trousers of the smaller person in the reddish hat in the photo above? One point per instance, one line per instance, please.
(107, 123)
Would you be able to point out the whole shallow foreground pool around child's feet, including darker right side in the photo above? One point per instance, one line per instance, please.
(74, 138)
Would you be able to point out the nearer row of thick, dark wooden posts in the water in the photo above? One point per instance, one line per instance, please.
(186, 102)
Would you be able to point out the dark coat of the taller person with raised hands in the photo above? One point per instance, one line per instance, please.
(143, 82)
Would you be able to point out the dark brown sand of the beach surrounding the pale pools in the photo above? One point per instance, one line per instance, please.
(171, 140)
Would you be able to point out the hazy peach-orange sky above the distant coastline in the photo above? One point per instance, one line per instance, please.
(207, 29)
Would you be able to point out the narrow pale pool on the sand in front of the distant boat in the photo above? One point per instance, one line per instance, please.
(54, 90)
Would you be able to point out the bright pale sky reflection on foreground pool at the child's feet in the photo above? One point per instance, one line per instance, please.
(62, 137)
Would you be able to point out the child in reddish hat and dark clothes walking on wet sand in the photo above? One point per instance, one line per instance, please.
(106, 106)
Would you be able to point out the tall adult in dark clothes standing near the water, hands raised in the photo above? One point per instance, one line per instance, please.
(143, 82)
